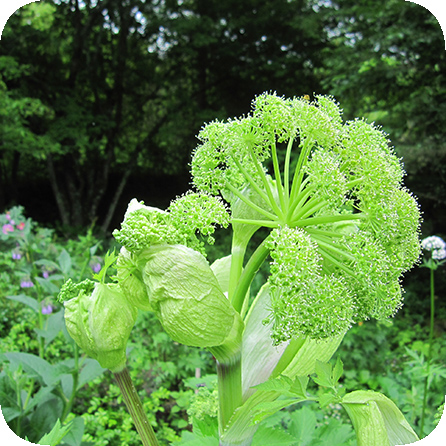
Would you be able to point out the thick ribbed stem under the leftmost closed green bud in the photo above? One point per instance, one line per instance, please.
(135, 408)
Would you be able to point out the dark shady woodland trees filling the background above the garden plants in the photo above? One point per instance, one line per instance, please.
(101, 99)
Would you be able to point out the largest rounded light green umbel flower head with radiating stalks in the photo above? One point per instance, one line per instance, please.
(344, 229)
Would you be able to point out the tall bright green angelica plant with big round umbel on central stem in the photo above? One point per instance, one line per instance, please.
(341, 229)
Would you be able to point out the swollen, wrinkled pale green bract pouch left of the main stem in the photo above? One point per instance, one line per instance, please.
(187, 298)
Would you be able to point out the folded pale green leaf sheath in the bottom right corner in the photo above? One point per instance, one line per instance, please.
(377, 420)
